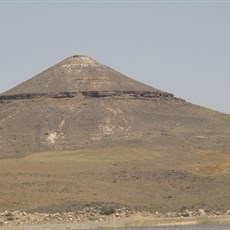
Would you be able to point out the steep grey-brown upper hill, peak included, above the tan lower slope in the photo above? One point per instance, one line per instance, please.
(80, 102)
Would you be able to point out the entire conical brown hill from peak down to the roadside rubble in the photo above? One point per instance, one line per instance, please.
(82, 132)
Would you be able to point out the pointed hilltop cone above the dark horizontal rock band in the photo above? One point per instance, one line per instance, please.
(79, 74)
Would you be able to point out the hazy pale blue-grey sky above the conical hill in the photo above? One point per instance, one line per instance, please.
(182, 47)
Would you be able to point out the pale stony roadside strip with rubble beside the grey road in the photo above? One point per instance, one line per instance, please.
(71, 221)
